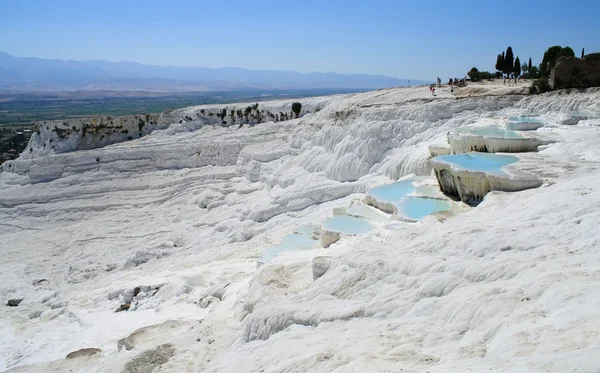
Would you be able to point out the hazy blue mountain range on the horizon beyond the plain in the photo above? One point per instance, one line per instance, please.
(28, 74)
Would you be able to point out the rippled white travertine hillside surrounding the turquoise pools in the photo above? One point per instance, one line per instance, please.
(169, 226)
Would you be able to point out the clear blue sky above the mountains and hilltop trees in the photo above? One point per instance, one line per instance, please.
(418, 39)
